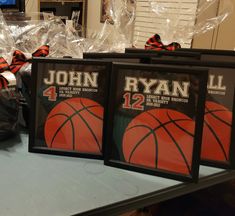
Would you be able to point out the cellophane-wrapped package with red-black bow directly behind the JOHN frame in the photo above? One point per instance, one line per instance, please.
(37, 35)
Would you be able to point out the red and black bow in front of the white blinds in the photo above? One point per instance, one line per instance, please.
(155, 43)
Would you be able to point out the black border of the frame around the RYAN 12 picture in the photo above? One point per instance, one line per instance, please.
(111, 117)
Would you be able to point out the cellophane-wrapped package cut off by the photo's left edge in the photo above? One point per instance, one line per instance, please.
(9, 98)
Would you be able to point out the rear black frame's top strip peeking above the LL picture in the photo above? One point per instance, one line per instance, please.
(212, 55)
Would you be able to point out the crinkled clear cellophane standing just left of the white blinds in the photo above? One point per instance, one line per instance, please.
(117, 31)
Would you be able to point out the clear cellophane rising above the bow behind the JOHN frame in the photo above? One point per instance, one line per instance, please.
(31, 31)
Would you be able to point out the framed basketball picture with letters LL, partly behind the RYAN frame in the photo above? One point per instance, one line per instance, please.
(218, 143)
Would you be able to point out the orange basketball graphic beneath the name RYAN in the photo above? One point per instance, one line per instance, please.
(160, 138)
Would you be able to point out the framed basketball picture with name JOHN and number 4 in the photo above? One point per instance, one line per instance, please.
(68, 100)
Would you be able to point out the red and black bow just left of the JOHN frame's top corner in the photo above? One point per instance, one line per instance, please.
(19, 58)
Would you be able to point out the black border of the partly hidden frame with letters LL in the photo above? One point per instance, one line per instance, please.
(230, 68)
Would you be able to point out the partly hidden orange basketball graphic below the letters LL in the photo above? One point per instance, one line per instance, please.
(216, 132)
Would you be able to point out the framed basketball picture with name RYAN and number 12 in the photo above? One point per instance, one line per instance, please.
(154, 120)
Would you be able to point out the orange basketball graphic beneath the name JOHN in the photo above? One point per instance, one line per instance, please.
(75, 124)
